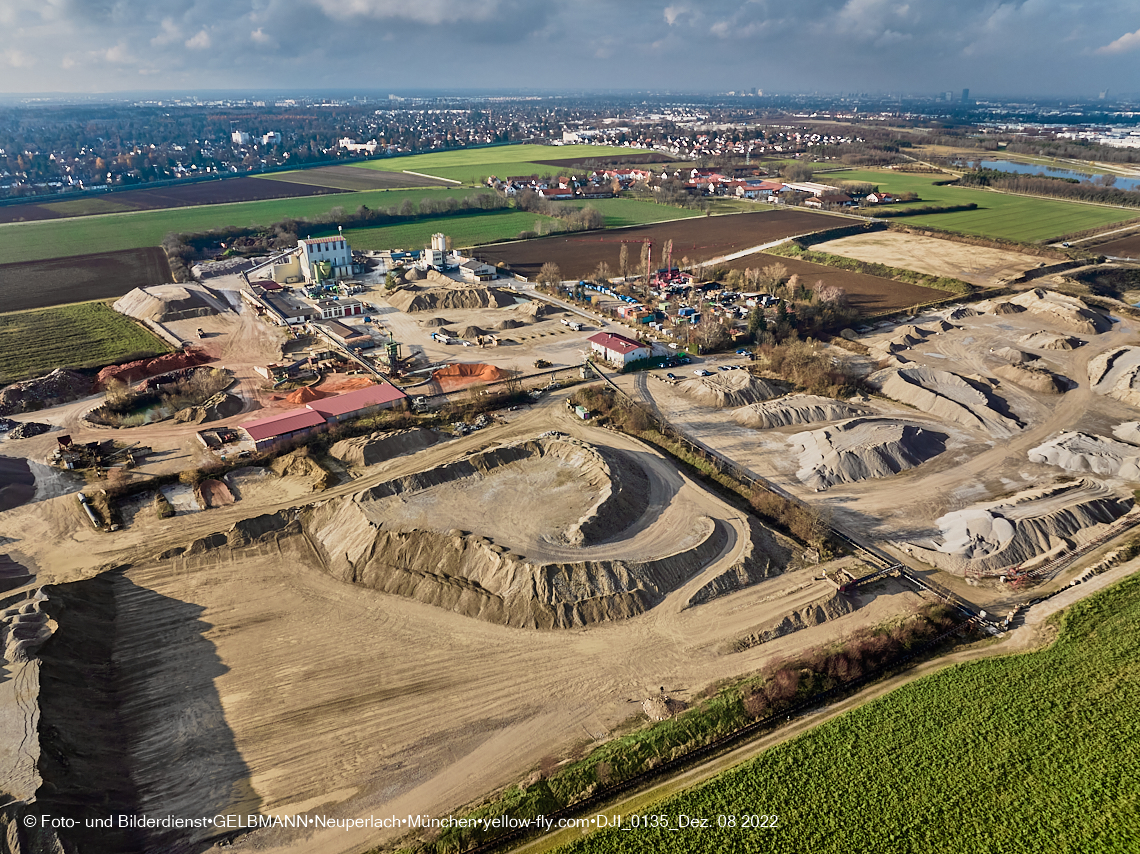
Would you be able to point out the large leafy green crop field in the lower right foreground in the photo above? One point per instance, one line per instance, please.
(1032, 753)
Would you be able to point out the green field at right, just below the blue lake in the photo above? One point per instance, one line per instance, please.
(999, 215)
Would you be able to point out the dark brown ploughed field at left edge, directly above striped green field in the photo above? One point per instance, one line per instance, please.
(58, 282)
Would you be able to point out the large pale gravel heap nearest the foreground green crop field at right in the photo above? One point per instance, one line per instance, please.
(1035, 523)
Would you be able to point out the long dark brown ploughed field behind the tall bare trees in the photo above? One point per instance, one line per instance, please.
(701, 239)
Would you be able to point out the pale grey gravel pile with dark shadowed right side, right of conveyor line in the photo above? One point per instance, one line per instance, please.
(864, 449)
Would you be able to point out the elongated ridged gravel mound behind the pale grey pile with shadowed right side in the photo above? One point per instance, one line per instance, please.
(948, 396)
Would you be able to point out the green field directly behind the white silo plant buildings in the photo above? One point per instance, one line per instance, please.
(468, 230)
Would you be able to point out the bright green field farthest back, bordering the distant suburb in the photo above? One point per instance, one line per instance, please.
(471, 165)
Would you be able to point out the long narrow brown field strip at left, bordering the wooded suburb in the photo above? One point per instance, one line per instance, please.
(190, 196)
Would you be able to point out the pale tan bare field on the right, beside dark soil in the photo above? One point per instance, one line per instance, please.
(976, 265)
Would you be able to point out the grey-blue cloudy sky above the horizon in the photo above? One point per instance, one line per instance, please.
(1036, 47)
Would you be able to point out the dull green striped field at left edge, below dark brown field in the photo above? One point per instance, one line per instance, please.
(84, 335)
